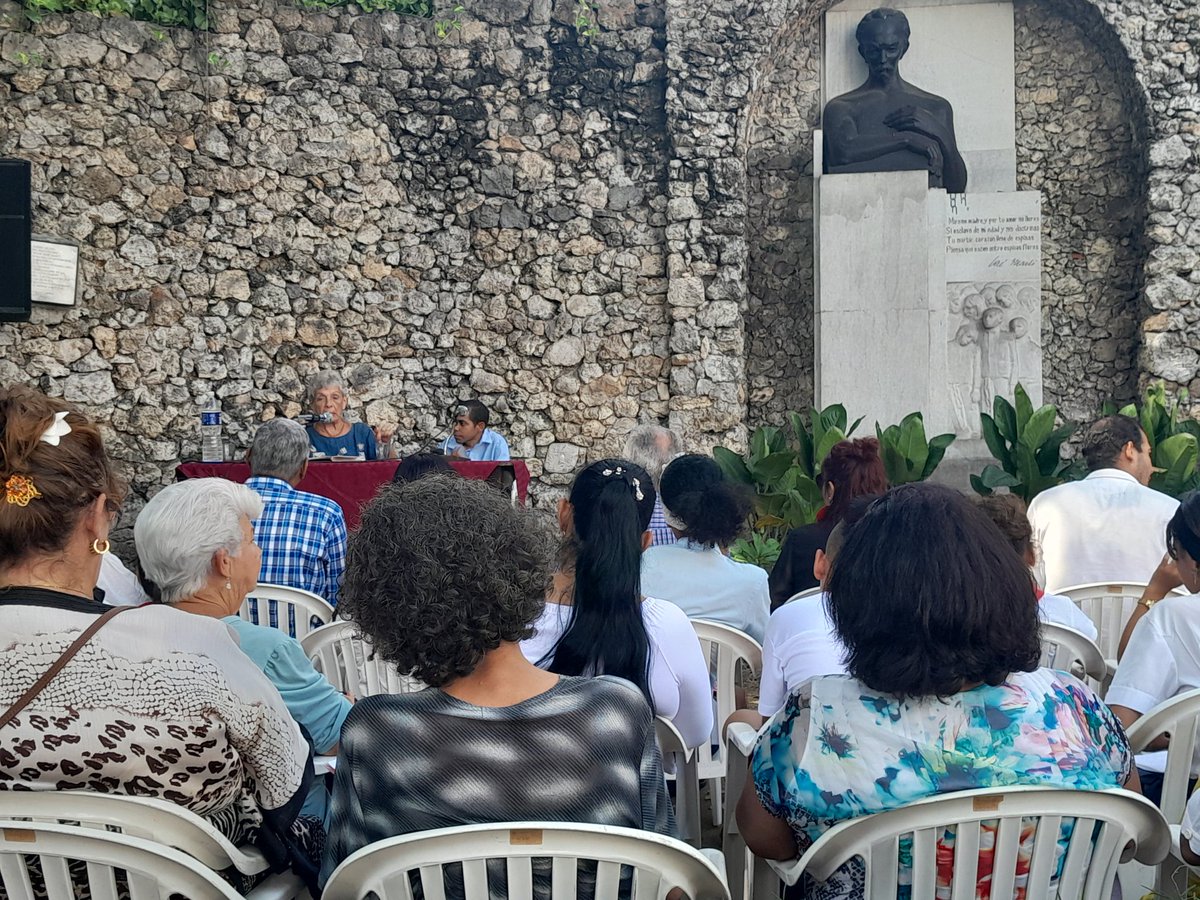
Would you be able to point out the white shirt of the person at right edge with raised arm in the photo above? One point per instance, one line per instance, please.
(1161, 661)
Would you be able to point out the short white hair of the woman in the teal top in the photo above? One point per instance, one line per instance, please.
(183, 527)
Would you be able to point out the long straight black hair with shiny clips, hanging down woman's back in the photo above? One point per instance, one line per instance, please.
(613, 502)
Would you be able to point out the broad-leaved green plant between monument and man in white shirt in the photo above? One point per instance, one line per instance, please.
(1027, 445)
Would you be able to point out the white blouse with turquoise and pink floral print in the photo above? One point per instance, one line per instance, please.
(838, 751)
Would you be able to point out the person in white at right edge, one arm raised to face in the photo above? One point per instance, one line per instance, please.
(1162, 640)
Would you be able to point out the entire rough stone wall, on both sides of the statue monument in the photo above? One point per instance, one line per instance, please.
(572, 230)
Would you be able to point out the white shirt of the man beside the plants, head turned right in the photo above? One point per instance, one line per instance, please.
(1107, 527)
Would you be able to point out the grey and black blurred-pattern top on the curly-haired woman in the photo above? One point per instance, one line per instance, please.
(583, 752)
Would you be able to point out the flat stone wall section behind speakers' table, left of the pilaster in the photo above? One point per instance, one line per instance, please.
(477, 217)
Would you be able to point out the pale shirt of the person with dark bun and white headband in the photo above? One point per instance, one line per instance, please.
(707, 585)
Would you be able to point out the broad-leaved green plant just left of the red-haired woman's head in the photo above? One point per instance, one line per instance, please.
(784, 472)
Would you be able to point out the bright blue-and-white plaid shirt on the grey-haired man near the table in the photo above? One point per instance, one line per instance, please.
(303, 538)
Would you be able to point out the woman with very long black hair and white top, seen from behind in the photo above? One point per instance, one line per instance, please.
(598, 622)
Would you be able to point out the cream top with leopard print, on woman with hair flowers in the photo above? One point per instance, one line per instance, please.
(159, 704)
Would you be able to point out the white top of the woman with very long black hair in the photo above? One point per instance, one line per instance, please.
(680, 683)
